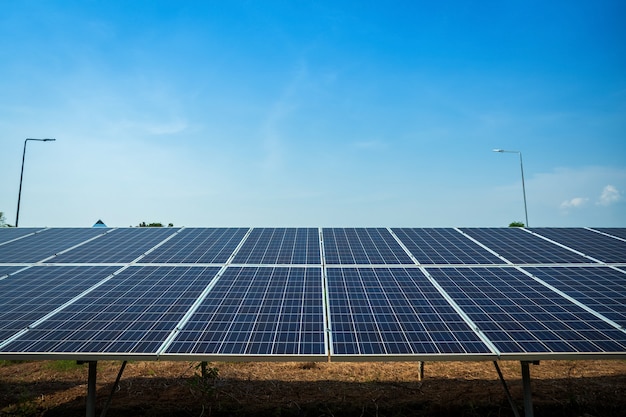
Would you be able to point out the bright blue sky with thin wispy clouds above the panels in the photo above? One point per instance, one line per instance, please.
(294, 113)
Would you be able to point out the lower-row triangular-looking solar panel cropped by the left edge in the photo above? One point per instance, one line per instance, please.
(31, 294)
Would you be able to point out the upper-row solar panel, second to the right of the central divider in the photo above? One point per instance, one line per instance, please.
(444, 246)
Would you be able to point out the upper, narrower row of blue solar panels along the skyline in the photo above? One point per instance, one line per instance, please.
(311, 246)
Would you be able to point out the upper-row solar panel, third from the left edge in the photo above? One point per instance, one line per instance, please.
(118, 246)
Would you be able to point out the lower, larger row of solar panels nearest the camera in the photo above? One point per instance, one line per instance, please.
(281, 312)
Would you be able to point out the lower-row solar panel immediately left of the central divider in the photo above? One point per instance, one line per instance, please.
(258, 311)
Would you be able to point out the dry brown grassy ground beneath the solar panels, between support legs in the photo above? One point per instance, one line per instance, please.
(560, 388)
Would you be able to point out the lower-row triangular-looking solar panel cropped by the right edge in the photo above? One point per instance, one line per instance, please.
(602, 289)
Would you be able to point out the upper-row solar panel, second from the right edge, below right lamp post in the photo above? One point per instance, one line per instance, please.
(596, 245)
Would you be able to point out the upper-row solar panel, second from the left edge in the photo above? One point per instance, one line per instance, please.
(37, 247)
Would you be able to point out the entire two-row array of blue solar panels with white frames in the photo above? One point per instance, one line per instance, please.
(312, 293)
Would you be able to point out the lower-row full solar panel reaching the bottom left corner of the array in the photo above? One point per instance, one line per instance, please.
(133, 312)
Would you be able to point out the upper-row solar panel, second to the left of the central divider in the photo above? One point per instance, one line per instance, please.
(198, 245)
